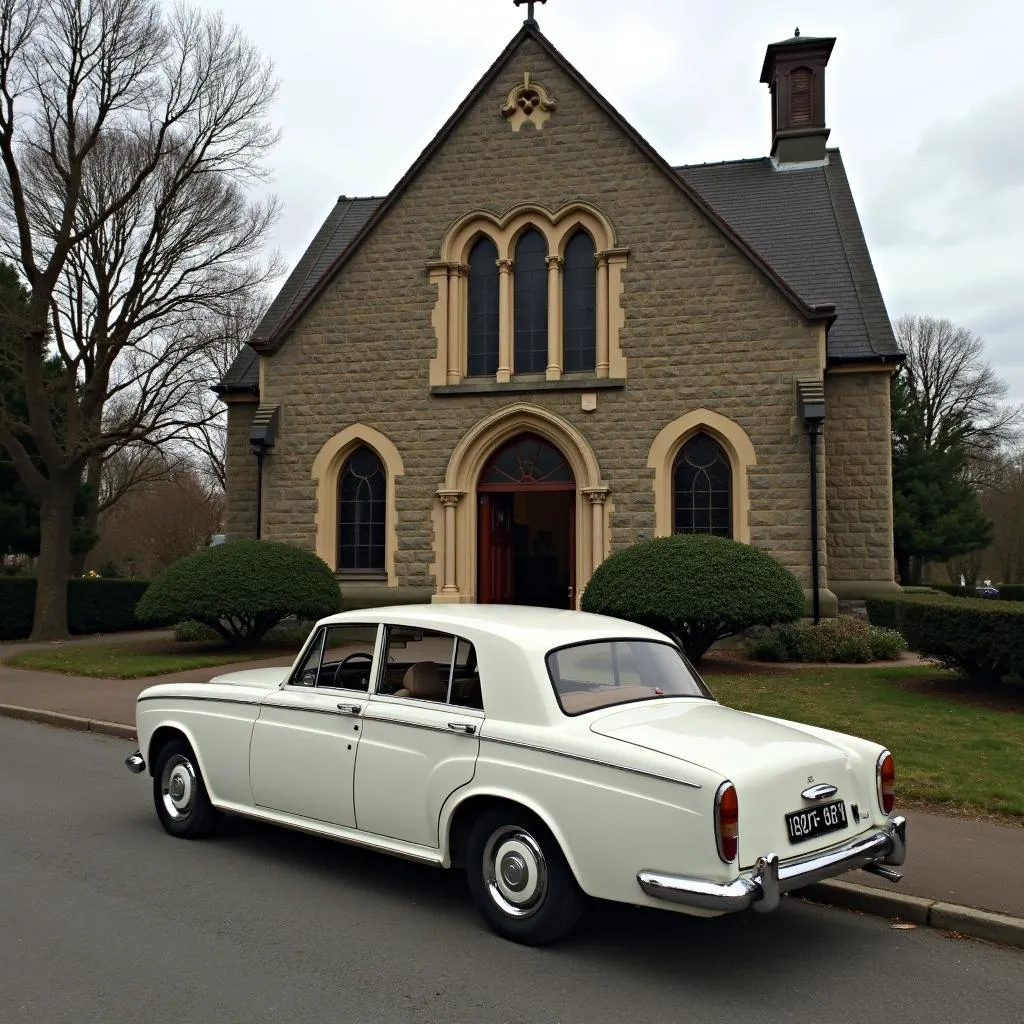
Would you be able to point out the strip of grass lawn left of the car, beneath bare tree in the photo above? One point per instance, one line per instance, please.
(134, 661)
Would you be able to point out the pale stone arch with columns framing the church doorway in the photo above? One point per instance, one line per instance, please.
(455, 519)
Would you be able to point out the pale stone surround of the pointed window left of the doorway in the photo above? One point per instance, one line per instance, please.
(326, 471)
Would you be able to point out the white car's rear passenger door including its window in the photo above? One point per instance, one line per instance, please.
(421, 735)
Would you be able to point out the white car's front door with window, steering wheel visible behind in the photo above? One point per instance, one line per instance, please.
(305, 743)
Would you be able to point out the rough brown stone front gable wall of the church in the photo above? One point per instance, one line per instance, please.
(703, 328)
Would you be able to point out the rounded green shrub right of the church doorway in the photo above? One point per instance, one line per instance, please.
(695, 588)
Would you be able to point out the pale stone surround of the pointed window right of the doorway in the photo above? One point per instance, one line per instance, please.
(739, 450)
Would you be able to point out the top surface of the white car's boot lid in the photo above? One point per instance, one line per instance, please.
(731, 743)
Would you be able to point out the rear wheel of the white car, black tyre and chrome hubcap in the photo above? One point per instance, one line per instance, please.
(520, 878)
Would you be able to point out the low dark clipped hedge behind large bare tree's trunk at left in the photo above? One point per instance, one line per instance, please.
(94, 606)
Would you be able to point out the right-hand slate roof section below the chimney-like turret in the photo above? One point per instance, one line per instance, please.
(804, 224)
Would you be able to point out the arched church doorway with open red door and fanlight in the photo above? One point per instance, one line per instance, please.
(527, 527)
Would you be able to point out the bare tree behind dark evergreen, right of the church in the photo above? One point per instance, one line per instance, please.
(962, 400)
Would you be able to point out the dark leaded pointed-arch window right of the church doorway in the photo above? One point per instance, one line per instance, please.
(702, 489)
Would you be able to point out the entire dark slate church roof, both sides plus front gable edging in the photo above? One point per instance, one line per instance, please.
(800, 227)
